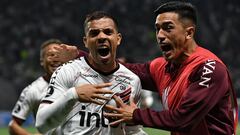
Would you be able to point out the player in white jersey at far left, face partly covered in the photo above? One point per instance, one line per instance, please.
(31, 96)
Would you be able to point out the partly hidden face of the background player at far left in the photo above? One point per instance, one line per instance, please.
(47, 62)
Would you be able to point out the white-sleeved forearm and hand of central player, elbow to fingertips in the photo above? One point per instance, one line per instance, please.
(50, 115)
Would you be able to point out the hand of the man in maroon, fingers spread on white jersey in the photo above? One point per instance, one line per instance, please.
(124, 112)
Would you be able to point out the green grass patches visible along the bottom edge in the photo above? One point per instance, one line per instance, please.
(150, 131)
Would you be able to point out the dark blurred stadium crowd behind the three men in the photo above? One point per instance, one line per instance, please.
(25, 24)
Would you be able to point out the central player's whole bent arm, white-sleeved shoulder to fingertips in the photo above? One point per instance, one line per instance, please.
(61, 99)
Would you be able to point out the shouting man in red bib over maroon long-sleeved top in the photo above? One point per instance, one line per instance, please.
(194, 84)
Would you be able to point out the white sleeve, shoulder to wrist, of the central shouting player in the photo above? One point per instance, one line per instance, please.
(61, 98)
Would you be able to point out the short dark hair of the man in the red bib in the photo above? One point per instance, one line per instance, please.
(183, 9)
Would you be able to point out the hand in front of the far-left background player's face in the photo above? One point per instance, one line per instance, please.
(65, 52)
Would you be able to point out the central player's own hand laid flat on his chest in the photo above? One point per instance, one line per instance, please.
(92, 93)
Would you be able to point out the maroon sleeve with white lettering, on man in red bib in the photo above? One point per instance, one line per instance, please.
(203, 93)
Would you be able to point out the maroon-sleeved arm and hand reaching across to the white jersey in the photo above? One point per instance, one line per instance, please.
(199, 98)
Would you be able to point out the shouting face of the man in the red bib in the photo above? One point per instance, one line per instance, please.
(171, 36)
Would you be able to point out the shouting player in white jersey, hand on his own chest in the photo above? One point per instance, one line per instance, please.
(71, 99)
